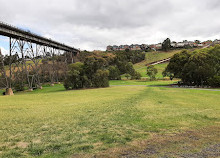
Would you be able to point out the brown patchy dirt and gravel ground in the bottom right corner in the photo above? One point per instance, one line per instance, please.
(202, 143)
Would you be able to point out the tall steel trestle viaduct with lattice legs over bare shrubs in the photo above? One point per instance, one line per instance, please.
(33, 59)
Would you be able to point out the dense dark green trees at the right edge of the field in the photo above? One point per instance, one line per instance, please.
(196, 68)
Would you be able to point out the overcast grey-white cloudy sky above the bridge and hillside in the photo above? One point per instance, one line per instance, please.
(94, 24)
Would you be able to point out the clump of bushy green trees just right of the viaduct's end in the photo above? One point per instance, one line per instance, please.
(96, 69)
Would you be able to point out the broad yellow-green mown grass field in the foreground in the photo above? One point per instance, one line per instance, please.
(56, 123)
